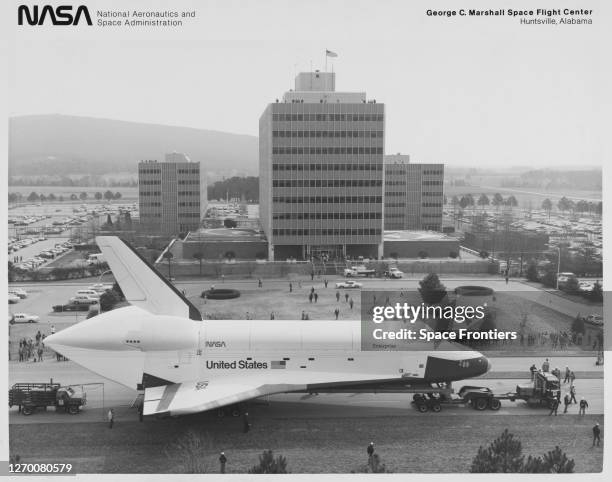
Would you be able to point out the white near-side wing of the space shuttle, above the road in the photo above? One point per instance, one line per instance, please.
(193, 397)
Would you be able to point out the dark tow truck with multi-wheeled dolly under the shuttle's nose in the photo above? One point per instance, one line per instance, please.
(543, 391)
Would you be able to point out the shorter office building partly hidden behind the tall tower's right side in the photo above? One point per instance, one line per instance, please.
(414, 194)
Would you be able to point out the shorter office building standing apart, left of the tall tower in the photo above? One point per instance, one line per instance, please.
(172, 195)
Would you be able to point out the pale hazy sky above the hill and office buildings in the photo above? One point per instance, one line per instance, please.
(457, 90)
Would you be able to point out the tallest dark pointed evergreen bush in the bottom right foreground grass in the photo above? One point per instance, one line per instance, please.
(504, 455)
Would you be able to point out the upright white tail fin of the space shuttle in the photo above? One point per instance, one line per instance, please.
(141, 284)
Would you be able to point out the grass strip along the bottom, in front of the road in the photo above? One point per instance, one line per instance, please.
(410, 444)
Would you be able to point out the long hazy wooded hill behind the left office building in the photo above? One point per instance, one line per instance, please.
(60, 145)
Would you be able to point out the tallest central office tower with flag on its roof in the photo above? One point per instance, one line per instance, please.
(321, 171)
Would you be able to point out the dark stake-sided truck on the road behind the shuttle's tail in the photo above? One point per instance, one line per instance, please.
(31, 396)
